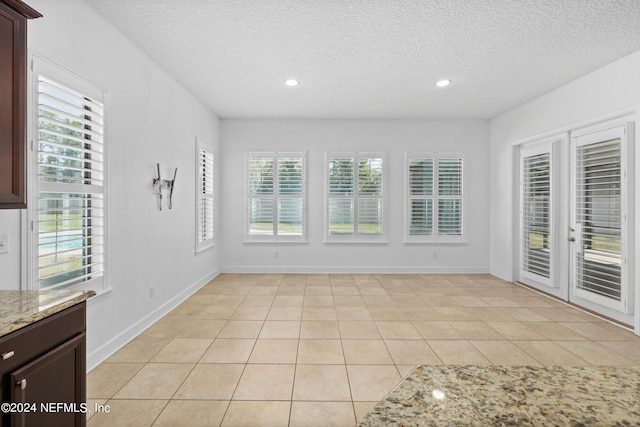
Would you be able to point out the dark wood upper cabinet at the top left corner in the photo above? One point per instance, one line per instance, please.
(13, 102)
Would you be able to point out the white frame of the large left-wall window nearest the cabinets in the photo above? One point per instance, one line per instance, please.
(97, 281)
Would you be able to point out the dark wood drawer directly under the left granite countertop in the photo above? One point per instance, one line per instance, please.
(36, 339)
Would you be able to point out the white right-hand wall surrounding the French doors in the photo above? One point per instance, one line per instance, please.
(605, 92)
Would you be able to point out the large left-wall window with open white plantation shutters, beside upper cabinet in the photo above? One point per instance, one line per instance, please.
(68, 221)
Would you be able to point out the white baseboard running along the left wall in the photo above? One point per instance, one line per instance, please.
(100, 354)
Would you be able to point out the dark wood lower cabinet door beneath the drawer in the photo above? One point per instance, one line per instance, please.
(55, 380)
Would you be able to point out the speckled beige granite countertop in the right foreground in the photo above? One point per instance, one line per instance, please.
(512, 396)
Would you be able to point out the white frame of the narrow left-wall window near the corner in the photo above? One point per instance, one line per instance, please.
(206, 222)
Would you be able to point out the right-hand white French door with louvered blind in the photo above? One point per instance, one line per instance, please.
(598, 219)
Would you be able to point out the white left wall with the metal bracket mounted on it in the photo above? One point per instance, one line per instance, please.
(151, 118)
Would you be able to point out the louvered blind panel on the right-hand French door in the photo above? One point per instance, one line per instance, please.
(599, 215)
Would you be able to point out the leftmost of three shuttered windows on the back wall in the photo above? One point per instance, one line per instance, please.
(276, 197)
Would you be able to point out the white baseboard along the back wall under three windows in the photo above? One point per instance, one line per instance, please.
(355, 269)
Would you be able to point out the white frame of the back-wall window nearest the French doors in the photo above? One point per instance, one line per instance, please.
(434, 237)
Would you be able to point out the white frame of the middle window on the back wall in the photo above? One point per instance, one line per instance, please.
(356, 238)
